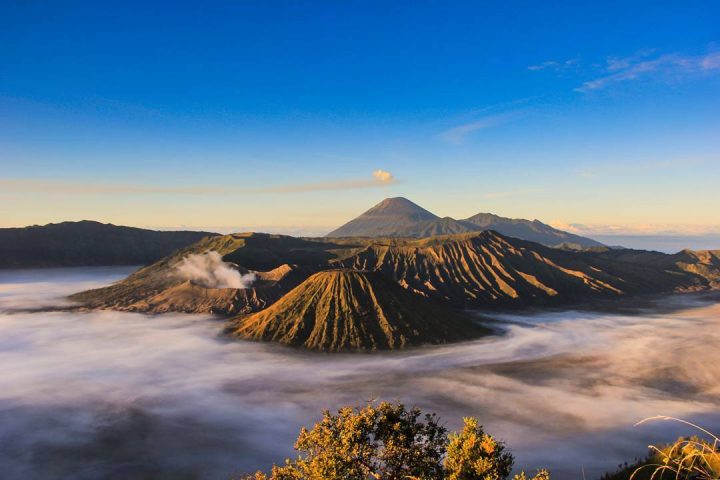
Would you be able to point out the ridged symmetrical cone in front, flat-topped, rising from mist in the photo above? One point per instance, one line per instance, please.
(339, 310)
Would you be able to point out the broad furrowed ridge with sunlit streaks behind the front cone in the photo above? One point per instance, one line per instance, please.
(486, 268)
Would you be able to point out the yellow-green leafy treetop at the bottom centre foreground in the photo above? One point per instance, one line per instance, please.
(390, 442)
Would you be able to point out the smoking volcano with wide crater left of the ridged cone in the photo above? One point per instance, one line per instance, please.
(160, 288)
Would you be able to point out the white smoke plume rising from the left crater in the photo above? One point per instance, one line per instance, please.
(209, 270)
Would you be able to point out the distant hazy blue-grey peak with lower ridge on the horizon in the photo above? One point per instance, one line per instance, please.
(399, 217)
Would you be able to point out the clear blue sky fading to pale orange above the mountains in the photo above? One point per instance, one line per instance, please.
(602, 117)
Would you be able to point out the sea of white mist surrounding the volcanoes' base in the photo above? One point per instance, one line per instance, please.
(120, 395)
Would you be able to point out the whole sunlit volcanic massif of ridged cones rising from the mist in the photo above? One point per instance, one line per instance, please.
(374, 293)
